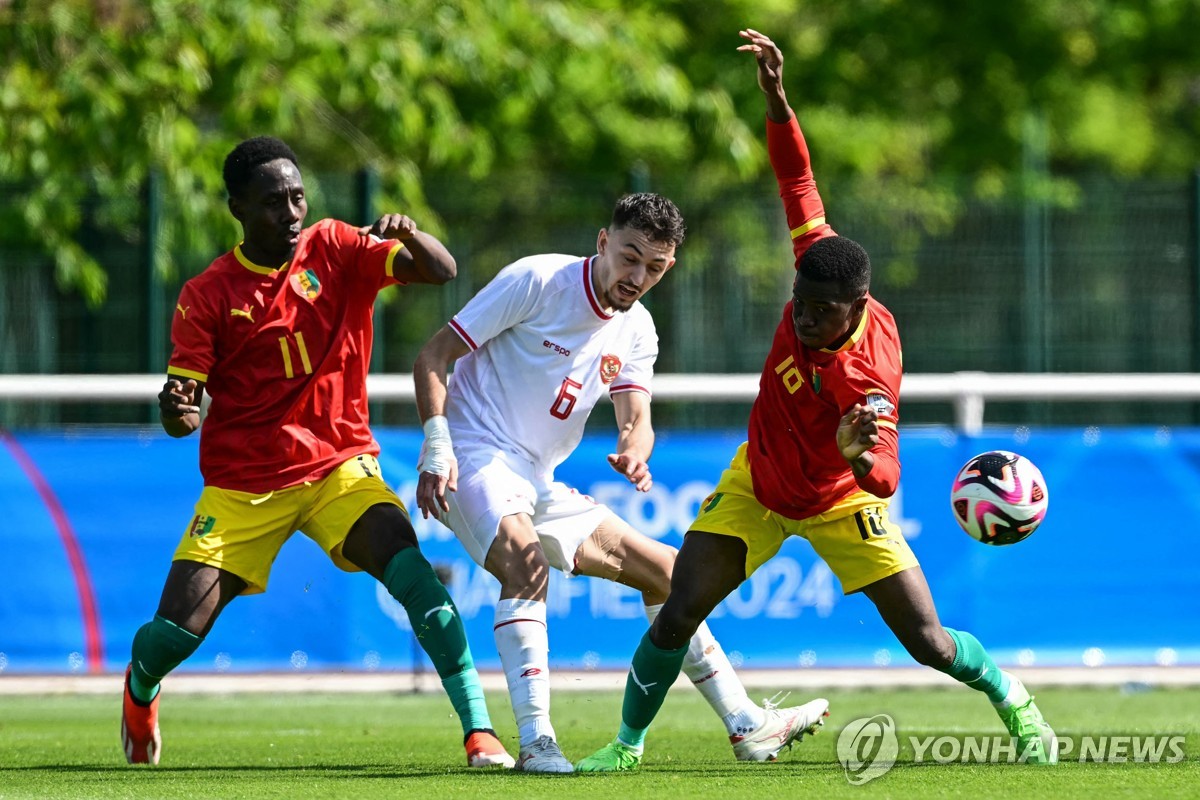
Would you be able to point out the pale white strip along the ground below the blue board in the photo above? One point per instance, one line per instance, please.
(185, 683)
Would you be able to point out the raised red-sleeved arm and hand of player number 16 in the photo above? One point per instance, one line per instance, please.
(788, 148)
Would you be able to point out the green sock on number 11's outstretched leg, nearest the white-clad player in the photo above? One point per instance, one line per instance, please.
(436, 623)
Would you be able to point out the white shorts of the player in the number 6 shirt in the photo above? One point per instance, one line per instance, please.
(494, 484)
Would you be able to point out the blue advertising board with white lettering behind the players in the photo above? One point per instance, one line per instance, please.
(93, 520)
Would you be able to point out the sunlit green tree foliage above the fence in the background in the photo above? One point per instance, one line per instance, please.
(94, 95)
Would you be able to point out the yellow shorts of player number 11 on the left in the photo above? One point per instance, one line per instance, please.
(243, 533)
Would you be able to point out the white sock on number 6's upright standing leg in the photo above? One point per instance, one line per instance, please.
(521, 640)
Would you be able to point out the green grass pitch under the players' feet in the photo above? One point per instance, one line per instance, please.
(364, 747)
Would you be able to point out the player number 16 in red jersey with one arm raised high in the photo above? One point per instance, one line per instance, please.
(821, 462)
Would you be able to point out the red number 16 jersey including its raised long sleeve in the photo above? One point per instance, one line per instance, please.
(803, 394)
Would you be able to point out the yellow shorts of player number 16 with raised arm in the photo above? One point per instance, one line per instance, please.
(855, 538)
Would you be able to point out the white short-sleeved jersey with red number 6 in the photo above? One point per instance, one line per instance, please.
(544, 352)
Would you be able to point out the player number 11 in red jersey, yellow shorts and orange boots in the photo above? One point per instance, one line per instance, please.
(279, 334)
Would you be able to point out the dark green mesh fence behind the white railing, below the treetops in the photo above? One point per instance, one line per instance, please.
(1101, 280)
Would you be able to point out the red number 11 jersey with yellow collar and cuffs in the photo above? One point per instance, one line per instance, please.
(285, 356)
